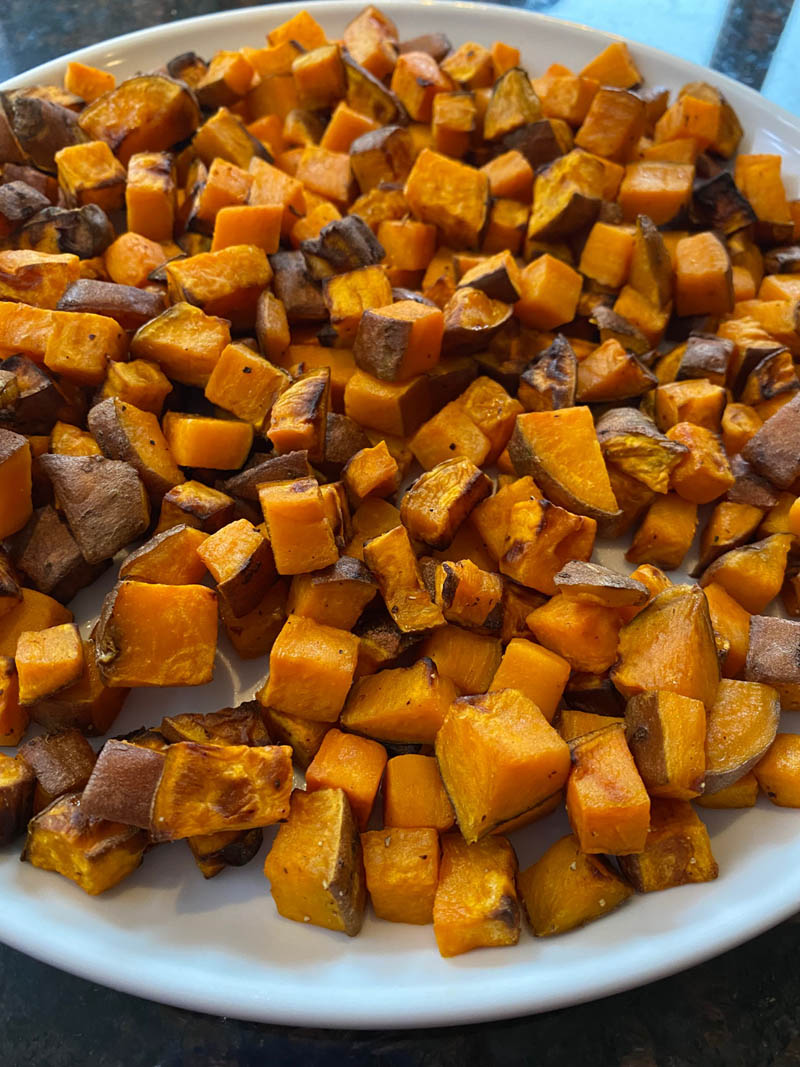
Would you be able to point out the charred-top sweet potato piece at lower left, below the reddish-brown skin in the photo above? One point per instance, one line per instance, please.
(92, 852)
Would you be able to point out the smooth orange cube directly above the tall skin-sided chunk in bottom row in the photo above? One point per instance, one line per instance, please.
(350, 763)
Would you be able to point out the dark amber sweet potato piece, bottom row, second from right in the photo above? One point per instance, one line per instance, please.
(566, 888)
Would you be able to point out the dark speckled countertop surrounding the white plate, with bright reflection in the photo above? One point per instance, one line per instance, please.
(738, 1011)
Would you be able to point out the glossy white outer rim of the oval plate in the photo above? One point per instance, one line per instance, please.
(508, 999)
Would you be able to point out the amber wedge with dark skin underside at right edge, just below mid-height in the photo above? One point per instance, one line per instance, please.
(754, 575)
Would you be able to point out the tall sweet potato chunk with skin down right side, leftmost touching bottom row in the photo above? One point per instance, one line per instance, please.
(315, 866)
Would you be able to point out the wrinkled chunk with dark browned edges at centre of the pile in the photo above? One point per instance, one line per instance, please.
(440, 501)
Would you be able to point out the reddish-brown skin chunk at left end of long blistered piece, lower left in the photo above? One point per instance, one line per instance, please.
(123, 784)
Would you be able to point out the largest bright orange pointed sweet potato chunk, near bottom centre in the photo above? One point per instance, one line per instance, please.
(516, 760)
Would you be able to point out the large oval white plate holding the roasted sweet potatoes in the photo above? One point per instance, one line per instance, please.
(219, 947)
